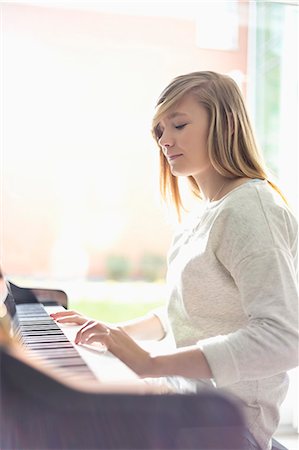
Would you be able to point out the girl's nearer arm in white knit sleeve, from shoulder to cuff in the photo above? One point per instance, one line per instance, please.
(255, 241)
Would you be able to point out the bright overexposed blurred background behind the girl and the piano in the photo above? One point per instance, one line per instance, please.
(80, 204)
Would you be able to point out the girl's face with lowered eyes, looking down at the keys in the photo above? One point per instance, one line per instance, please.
(183, 135)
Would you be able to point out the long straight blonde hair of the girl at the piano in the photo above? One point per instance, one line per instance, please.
(231, 144)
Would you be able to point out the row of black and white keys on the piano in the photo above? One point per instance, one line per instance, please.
(42, 336)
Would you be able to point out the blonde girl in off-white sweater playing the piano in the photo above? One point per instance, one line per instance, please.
(232, 308)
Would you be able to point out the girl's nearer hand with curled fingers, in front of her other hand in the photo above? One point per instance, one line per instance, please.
(119, 343)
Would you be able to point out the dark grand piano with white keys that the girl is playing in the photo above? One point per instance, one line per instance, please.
(53, 398)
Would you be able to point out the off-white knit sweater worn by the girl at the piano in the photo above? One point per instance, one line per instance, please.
(233, 290)
